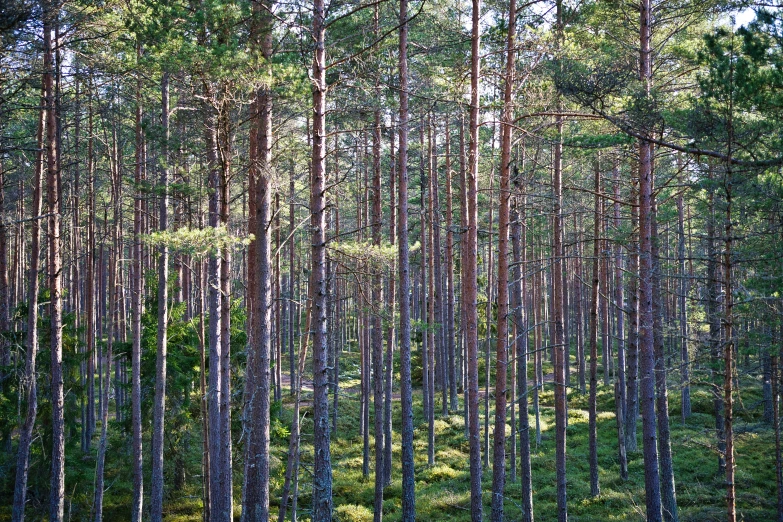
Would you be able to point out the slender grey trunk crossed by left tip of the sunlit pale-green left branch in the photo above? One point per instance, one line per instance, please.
(159, 402)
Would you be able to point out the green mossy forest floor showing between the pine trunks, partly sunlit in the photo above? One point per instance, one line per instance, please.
(442, 490)
